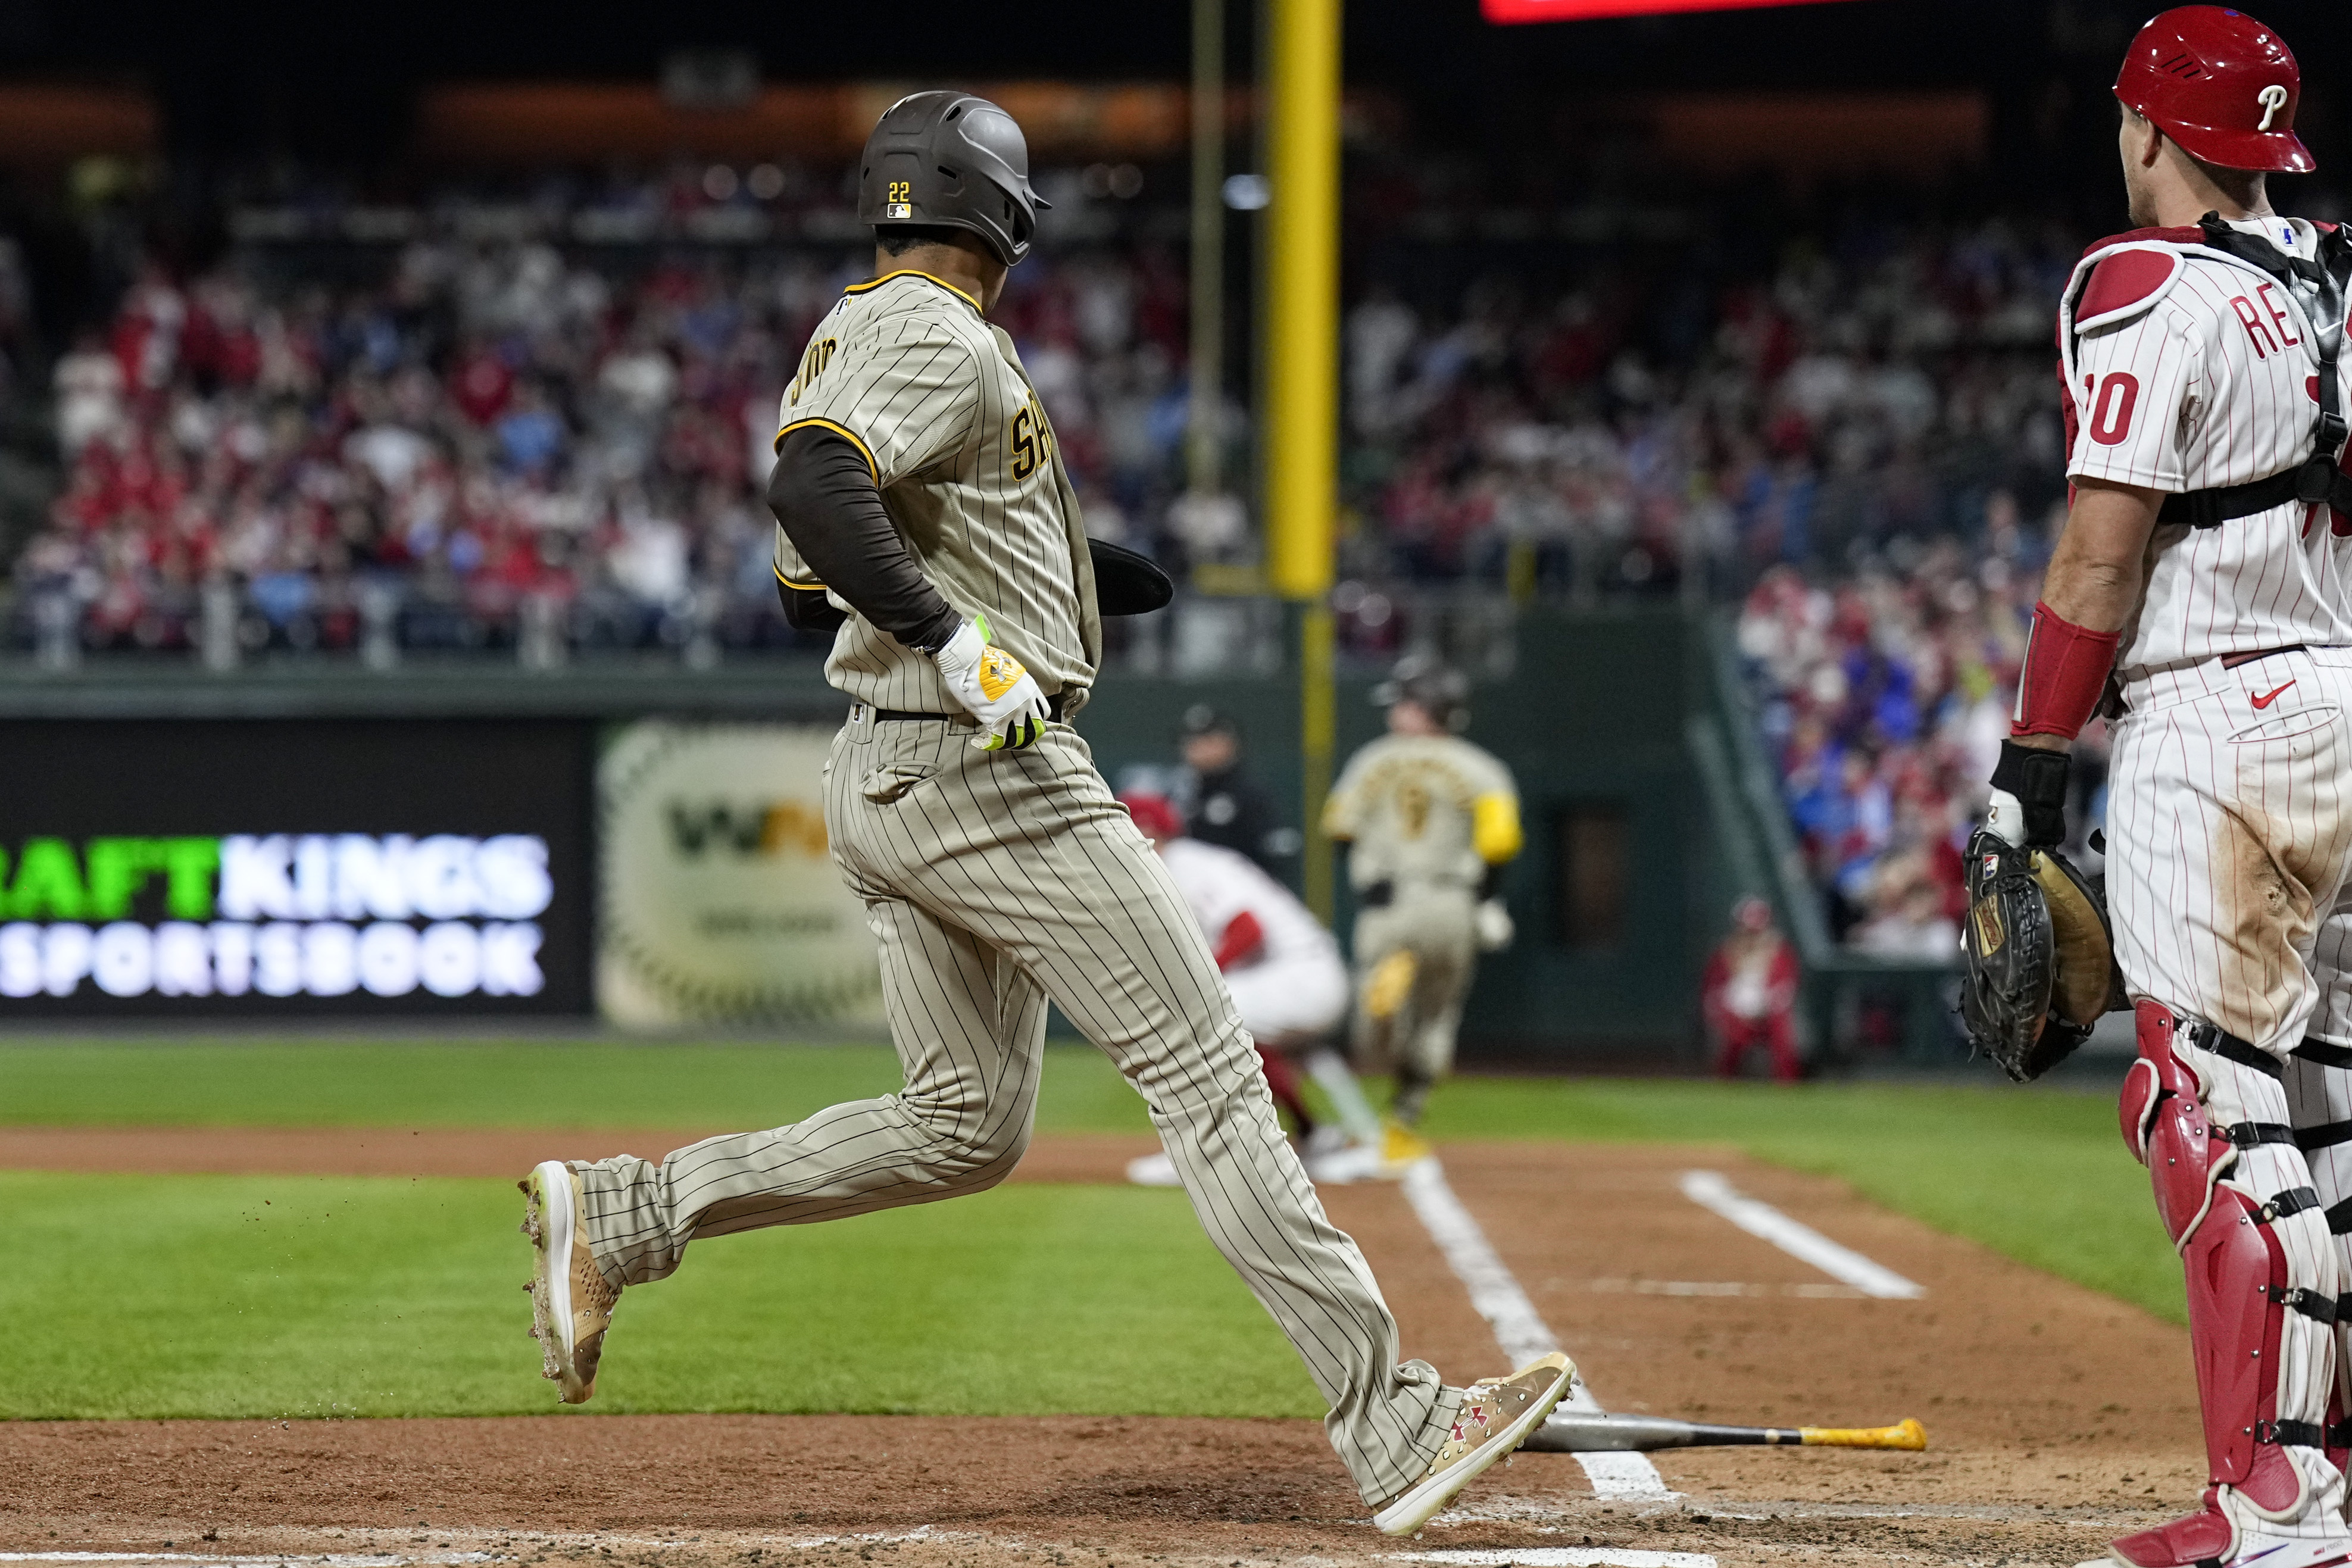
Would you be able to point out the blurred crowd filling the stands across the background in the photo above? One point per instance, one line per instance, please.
(533, 443)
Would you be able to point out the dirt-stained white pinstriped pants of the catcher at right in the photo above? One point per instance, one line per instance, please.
(2229, 843)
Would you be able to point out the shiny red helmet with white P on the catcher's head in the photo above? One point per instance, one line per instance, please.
(2221, 86)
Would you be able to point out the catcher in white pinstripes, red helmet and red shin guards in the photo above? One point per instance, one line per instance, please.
(2205, 561)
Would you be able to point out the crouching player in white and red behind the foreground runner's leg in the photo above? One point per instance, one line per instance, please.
(1288, 981)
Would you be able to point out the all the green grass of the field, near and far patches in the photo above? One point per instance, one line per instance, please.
(192, 1294)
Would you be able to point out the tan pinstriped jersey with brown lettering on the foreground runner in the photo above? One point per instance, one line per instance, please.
(970, 471)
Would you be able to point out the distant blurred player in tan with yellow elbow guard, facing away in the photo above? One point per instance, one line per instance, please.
(1431, 822)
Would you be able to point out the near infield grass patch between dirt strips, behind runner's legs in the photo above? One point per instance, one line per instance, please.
(135, 1296)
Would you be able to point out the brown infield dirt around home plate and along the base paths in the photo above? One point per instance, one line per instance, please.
(2057, 1416)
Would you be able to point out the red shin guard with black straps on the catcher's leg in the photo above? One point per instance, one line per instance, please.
(2261, 1266)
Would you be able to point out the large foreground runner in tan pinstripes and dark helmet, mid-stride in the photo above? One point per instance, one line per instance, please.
(923, 497)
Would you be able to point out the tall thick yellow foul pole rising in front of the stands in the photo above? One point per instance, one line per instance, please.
(1299, 436)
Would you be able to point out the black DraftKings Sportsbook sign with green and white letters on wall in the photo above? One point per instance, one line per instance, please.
(295, 869)
